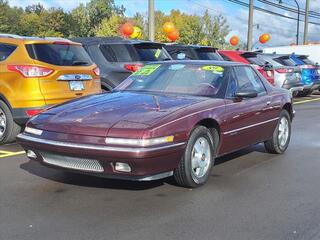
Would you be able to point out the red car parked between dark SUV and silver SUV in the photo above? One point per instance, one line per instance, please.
(241, 56)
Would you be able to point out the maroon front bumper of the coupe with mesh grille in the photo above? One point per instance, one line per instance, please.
(147, 163)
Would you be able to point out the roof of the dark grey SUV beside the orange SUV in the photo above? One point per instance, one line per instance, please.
(109, 40)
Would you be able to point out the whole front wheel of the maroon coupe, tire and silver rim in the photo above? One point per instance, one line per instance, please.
(196, 164)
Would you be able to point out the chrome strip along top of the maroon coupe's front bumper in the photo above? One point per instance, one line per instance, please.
(95, 147)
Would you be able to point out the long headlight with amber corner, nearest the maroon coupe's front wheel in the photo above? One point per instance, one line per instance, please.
(139, 142)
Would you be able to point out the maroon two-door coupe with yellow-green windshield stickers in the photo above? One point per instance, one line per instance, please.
(168, 118)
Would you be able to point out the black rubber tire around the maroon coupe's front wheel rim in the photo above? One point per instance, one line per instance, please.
(184, 174)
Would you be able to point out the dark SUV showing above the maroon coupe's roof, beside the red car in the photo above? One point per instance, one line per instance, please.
(192, 52)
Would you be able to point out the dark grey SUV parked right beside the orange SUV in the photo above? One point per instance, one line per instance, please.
(118, 58)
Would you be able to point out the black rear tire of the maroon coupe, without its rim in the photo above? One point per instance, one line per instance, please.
(274, 145)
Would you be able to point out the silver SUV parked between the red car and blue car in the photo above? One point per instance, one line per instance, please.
(288, 77)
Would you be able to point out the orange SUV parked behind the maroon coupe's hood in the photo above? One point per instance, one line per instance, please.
(36, 73)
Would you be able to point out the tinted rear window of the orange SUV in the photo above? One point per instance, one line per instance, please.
(59, 54)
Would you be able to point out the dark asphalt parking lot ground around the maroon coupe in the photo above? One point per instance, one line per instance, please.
(250, 195)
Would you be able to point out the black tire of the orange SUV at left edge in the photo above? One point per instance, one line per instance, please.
(11, 128)
